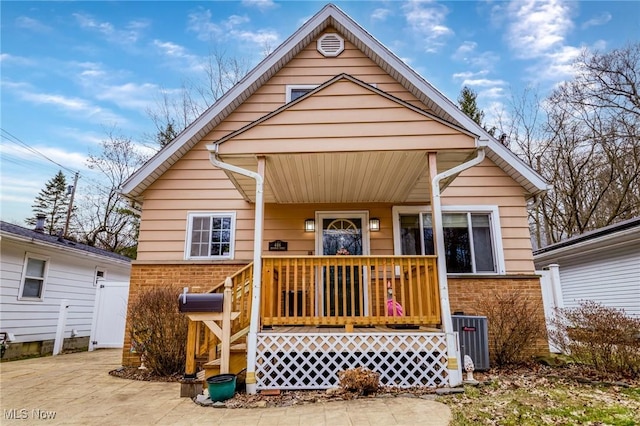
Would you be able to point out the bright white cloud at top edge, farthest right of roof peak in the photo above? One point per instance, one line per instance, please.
(537, 27)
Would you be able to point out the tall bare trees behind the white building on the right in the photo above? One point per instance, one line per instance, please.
(593, 156)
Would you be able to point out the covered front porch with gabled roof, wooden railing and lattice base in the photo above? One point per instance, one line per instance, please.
(366, 150)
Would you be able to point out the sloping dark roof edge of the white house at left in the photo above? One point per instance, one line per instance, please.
(15, 232)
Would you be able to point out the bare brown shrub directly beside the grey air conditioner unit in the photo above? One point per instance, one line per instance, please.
(515, 324)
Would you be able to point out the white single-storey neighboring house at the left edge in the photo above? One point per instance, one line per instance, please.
(49, 288)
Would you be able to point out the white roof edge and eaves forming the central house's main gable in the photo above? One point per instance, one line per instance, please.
(329, 16)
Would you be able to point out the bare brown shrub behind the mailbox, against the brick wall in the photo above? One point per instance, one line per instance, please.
(159, 330)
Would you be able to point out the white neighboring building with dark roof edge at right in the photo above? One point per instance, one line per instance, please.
(601, 265)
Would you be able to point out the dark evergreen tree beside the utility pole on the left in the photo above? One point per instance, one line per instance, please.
(52, 201)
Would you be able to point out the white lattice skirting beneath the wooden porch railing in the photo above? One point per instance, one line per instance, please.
(313, 360)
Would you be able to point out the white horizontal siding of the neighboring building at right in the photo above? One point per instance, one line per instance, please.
(610, 277)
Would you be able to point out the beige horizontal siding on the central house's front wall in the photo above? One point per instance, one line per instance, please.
(193, 184)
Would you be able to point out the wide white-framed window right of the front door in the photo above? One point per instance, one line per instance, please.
(471, 237)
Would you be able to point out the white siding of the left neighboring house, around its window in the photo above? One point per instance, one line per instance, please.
(70, 276)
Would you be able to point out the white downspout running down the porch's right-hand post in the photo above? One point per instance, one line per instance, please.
(454, 365)
